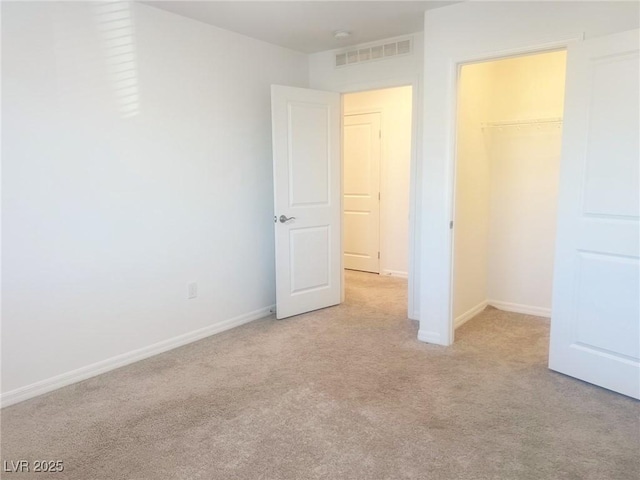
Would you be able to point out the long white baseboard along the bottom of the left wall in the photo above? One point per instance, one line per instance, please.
(44, 386)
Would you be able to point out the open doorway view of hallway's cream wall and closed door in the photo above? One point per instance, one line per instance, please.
(377, 151)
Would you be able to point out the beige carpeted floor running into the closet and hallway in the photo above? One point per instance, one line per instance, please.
(342, 393)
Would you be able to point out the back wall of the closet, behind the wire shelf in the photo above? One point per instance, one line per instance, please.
(525, 166)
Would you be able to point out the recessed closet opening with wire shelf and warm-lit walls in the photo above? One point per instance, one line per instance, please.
(508, 149)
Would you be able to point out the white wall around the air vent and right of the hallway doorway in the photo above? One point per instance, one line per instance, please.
(392, 72)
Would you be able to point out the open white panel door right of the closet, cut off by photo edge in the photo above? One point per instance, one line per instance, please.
(595, 325)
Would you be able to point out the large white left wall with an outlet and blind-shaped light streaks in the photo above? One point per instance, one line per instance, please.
(120, 187)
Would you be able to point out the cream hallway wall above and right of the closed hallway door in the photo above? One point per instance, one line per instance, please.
(394, 104)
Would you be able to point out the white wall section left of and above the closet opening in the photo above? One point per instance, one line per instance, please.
(460, 33)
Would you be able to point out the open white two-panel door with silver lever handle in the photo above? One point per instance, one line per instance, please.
(306, 173)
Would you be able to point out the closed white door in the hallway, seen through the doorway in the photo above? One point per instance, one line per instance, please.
(361, 187)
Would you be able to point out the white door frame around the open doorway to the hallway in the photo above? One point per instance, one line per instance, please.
(415, 82)
